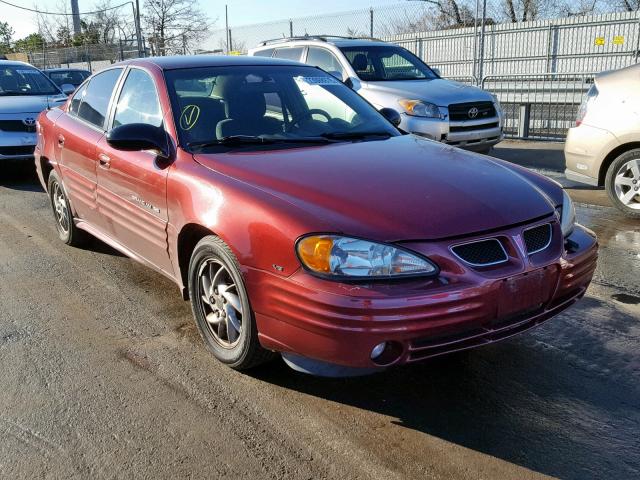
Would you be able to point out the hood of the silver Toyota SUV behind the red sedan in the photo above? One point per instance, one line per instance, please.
(439, 91)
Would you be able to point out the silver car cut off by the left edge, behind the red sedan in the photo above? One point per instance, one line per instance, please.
(24, 92)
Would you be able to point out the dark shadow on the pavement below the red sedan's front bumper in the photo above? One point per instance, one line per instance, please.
(558, 400)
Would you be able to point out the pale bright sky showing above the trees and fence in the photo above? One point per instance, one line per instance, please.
(241, 12)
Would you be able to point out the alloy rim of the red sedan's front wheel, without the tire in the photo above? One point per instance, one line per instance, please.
(220, 303)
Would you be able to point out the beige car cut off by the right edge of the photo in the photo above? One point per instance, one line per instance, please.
(604, 147)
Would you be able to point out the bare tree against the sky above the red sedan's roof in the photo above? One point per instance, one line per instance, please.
(174, 26)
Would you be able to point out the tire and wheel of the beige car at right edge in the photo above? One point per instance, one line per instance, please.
(622, 181)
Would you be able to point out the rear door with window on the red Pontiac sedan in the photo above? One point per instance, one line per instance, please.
(77, 133)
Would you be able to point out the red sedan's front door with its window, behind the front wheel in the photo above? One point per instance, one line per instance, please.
(132, 185)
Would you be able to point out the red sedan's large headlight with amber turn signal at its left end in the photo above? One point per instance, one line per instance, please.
(337, 256)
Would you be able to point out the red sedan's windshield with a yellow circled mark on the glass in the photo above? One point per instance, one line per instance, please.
(250, 105)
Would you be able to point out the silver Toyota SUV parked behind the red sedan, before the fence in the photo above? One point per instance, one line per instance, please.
(391, 76)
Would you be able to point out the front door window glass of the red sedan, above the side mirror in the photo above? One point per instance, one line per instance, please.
(138, 102)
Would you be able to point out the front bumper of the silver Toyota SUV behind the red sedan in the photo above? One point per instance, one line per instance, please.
(471, 135)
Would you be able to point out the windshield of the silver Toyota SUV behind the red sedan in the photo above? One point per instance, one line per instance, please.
(378, 63)
